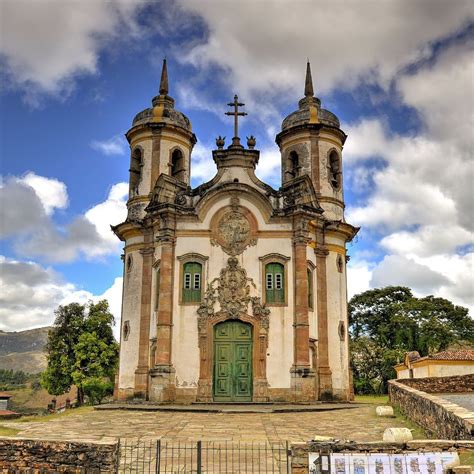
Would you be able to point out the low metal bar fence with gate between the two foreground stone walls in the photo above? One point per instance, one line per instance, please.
(161, 456)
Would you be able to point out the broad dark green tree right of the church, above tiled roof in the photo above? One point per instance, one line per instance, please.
(384, 323)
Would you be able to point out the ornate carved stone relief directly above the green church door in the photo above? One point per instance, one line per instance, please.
(231, 291)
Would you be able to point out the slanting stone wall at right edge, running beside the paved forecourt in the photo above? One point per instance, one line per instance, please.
(438, 417)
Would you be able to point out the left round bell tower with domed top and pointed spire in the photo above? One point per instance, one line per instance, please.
(161, 141)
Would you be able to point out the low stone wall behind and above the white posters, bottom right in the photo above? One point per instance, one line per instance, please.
(300, 451)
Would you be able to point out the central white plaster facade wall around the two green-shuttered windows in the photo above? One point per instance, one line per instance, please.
(185, 336)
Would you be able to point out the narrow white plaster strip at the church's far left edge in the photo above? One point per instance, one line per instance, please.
(131, 301)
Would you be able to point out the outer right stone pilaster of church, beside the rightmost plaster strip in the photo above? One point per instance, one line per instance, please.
(324, 370)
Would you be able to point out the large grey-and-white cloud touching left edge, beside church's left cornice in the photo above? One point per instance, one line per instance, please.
(23, 216)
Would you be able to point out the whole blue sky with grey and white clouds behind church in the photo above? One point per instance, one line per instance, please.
(398, 73)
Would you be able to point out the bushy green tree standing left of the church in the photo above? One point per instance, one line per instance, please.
(80, 347)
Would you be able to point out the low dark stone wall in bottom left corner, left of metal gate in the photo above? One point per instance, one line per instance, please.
(28, 455)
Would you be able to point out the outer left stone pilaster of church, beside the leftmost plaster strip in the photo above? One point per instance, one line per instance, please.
(141, 372)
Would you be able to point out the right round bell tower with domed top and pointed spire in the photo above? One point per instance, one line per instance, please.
(311, 143)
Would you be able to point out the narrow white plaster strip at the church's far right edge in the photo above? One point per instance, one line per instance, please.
(337, 311)
